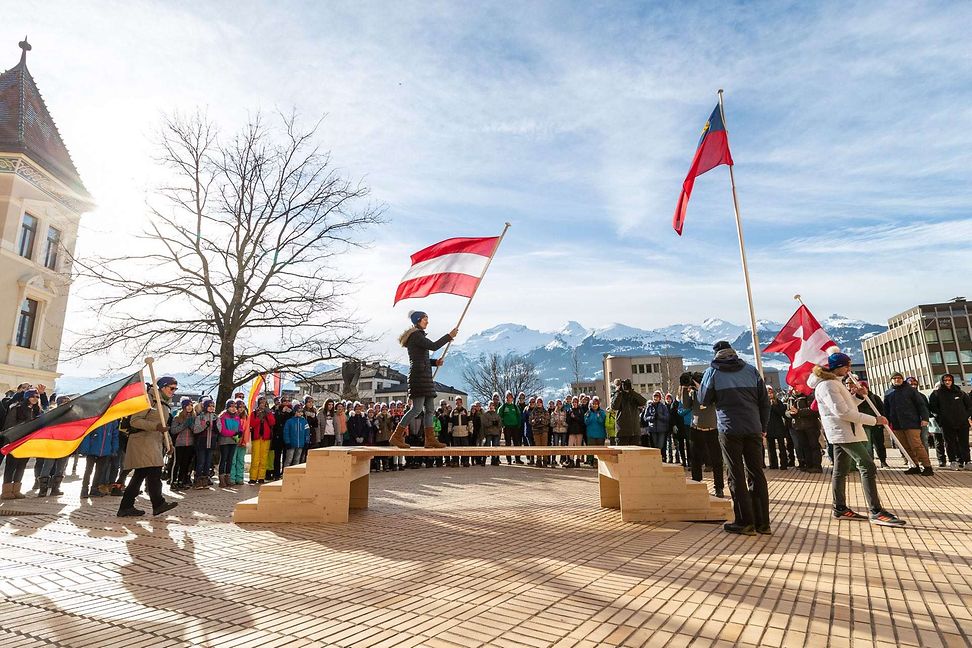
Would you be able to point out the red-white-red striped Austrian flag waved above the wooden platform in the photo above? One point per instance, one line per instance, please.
(454, 266)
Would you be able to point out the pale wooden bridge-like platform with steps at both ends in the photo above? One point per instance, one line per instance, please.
(335, 480)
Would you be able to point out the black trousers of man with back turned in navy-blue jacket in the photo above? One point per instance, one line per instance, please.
(747, 483)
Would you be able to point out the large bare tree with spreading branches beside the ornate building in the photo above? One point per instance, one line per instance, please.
(240, 275)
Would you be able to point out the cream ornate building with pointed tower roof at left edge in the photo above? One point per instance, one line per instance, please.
(42, 199)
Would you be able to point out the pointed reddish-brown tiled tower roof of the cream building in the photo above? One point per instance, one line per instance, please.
(26, 126)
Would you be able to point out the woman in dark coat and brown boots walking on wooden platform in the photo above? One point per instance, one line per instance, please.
(421, 388)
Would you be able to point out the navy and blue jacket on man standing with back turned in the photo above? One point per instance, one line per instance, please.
(739, 395)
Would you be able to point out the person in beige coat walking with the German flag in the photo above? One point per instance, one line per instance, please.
(147, 440)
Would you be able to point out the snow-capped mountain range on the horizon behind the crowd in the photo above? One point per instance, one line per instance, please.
(553, 351)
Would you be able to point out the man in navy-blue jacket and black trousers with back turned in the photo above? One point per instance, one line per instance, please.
(742, 413)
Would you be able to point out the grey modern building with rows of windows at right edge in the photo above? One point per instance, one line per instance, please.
(925, 342)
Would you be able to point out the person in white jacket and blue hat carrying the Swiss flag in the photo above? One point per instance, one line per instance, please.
(843, 426)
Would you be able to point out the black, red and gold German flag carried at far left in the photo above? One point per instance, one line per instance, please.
(58, 432)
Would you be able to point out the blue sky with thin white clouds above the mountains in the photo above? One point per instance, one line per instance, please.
(575, 122)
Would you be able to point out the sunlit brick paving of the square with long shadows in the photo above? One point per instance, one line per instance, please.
(496, 556)
